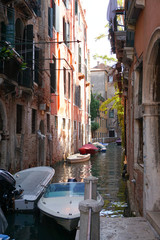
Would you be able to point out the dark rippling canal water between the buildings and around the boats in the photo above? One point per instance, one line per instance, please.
(107, 167)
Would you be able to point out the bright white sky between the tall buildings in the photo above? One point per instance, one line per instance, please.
(96, 20)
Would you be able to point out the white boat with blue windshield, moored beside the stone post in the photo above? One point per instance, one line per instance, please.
(60, 201)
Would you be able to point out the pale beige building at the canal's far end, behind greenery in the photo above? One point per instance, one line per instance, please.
(103, 86)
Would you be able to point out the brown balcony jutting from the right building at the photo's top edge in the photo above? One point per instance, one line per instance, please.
(133, 10)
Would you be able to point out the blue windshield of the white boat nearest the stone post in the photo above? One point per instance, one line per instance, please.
(64, 189)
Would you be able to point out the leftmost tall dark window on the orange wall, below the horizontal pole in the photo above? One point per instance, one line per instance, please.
(53, 84)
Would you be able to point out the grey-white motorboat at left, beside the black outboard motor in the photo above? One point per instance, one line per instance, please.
(33, 181)
